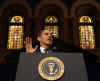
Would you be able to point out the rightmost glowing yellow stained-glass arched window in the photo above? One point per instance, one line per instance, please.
(87, 37)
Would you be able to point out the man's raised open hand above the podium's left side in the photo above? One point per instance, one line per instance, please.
(28, 45)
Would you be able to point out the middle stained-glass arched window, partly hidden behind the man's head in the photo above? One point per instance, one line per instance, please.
(51, 24)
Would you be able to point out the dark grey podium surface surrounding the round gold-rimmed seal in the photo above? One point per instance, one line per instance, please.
(74, 67)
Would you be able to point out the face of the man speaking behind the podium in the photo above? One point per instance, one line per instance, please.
(45, 37)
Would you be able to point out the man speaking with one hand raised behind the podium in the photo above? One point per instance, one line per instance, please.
(45, 39)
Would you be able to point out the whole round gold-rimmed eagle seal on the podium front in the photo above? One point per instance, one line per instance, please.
(51, 68)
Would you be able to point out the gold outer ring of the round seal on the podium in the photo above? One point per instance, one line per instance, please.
(59, 75)
